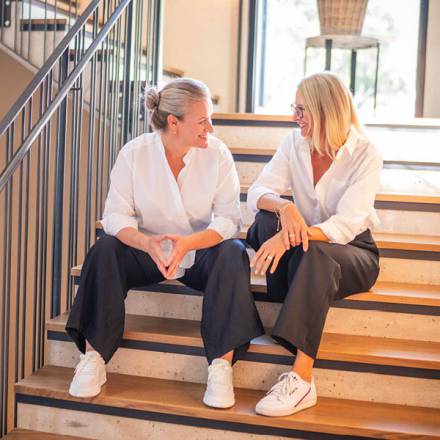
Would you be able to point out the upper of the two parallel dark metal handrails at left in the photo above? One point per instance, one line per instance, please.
(47, 67)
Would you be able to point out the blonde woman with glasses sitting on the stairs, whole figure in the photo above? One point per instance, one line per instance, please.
(317, 248)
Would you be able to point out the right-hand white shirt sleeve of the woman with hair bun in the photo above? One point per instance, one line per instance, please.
(226, 212)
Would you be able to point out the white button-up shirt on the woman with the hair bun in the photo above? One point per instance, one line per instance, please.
(145, 195)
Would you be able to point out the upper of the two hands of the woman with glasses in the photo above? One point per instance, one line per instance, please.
(293, 226)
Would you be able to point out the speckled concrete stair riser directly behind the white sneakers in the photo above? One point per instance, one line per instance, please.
(366, 386)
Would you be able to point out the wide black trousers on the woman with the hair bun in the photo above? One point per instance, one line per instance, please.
(229, 316)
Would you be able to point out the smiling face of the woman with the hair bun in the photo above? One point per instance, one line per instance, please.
(193, 129)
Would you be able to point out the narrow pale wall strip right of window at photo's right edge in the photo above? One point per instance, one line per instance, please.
(432, 76)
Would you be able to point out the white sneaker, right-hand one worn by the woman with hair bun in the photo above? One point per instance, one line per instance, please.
(219, 389)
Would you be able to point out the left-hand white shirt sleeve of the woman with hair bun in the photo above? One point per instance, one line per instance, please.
(119, 211)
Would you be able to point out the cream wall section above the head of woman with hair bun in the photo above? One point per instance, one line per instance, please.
(200, 38)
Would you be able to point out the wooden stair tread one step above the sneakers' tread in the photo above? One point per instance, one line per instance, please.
(337, 347)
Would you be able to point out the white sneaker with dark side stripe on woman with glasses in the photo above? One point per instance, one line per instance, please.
(289, 395)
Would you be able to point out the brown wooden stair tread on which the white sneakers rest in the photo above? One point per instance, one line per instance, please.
(333, 416)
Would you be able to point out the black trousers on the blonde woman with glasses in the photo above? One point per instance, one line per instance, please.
(308, 282)
